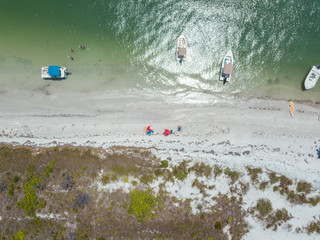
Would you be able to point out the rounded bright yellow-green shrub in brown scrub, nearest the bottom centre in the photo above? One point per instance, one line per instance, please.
(143, 204)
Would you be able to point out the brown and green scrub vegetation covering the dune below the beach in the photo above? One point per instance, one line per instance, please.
(118, 213)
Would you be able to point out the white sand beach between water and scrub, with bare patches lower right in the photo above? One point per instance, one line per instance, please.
(235, 133)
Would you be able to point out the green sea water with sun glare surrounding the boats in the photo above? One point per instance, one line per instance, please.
(131, 44)
